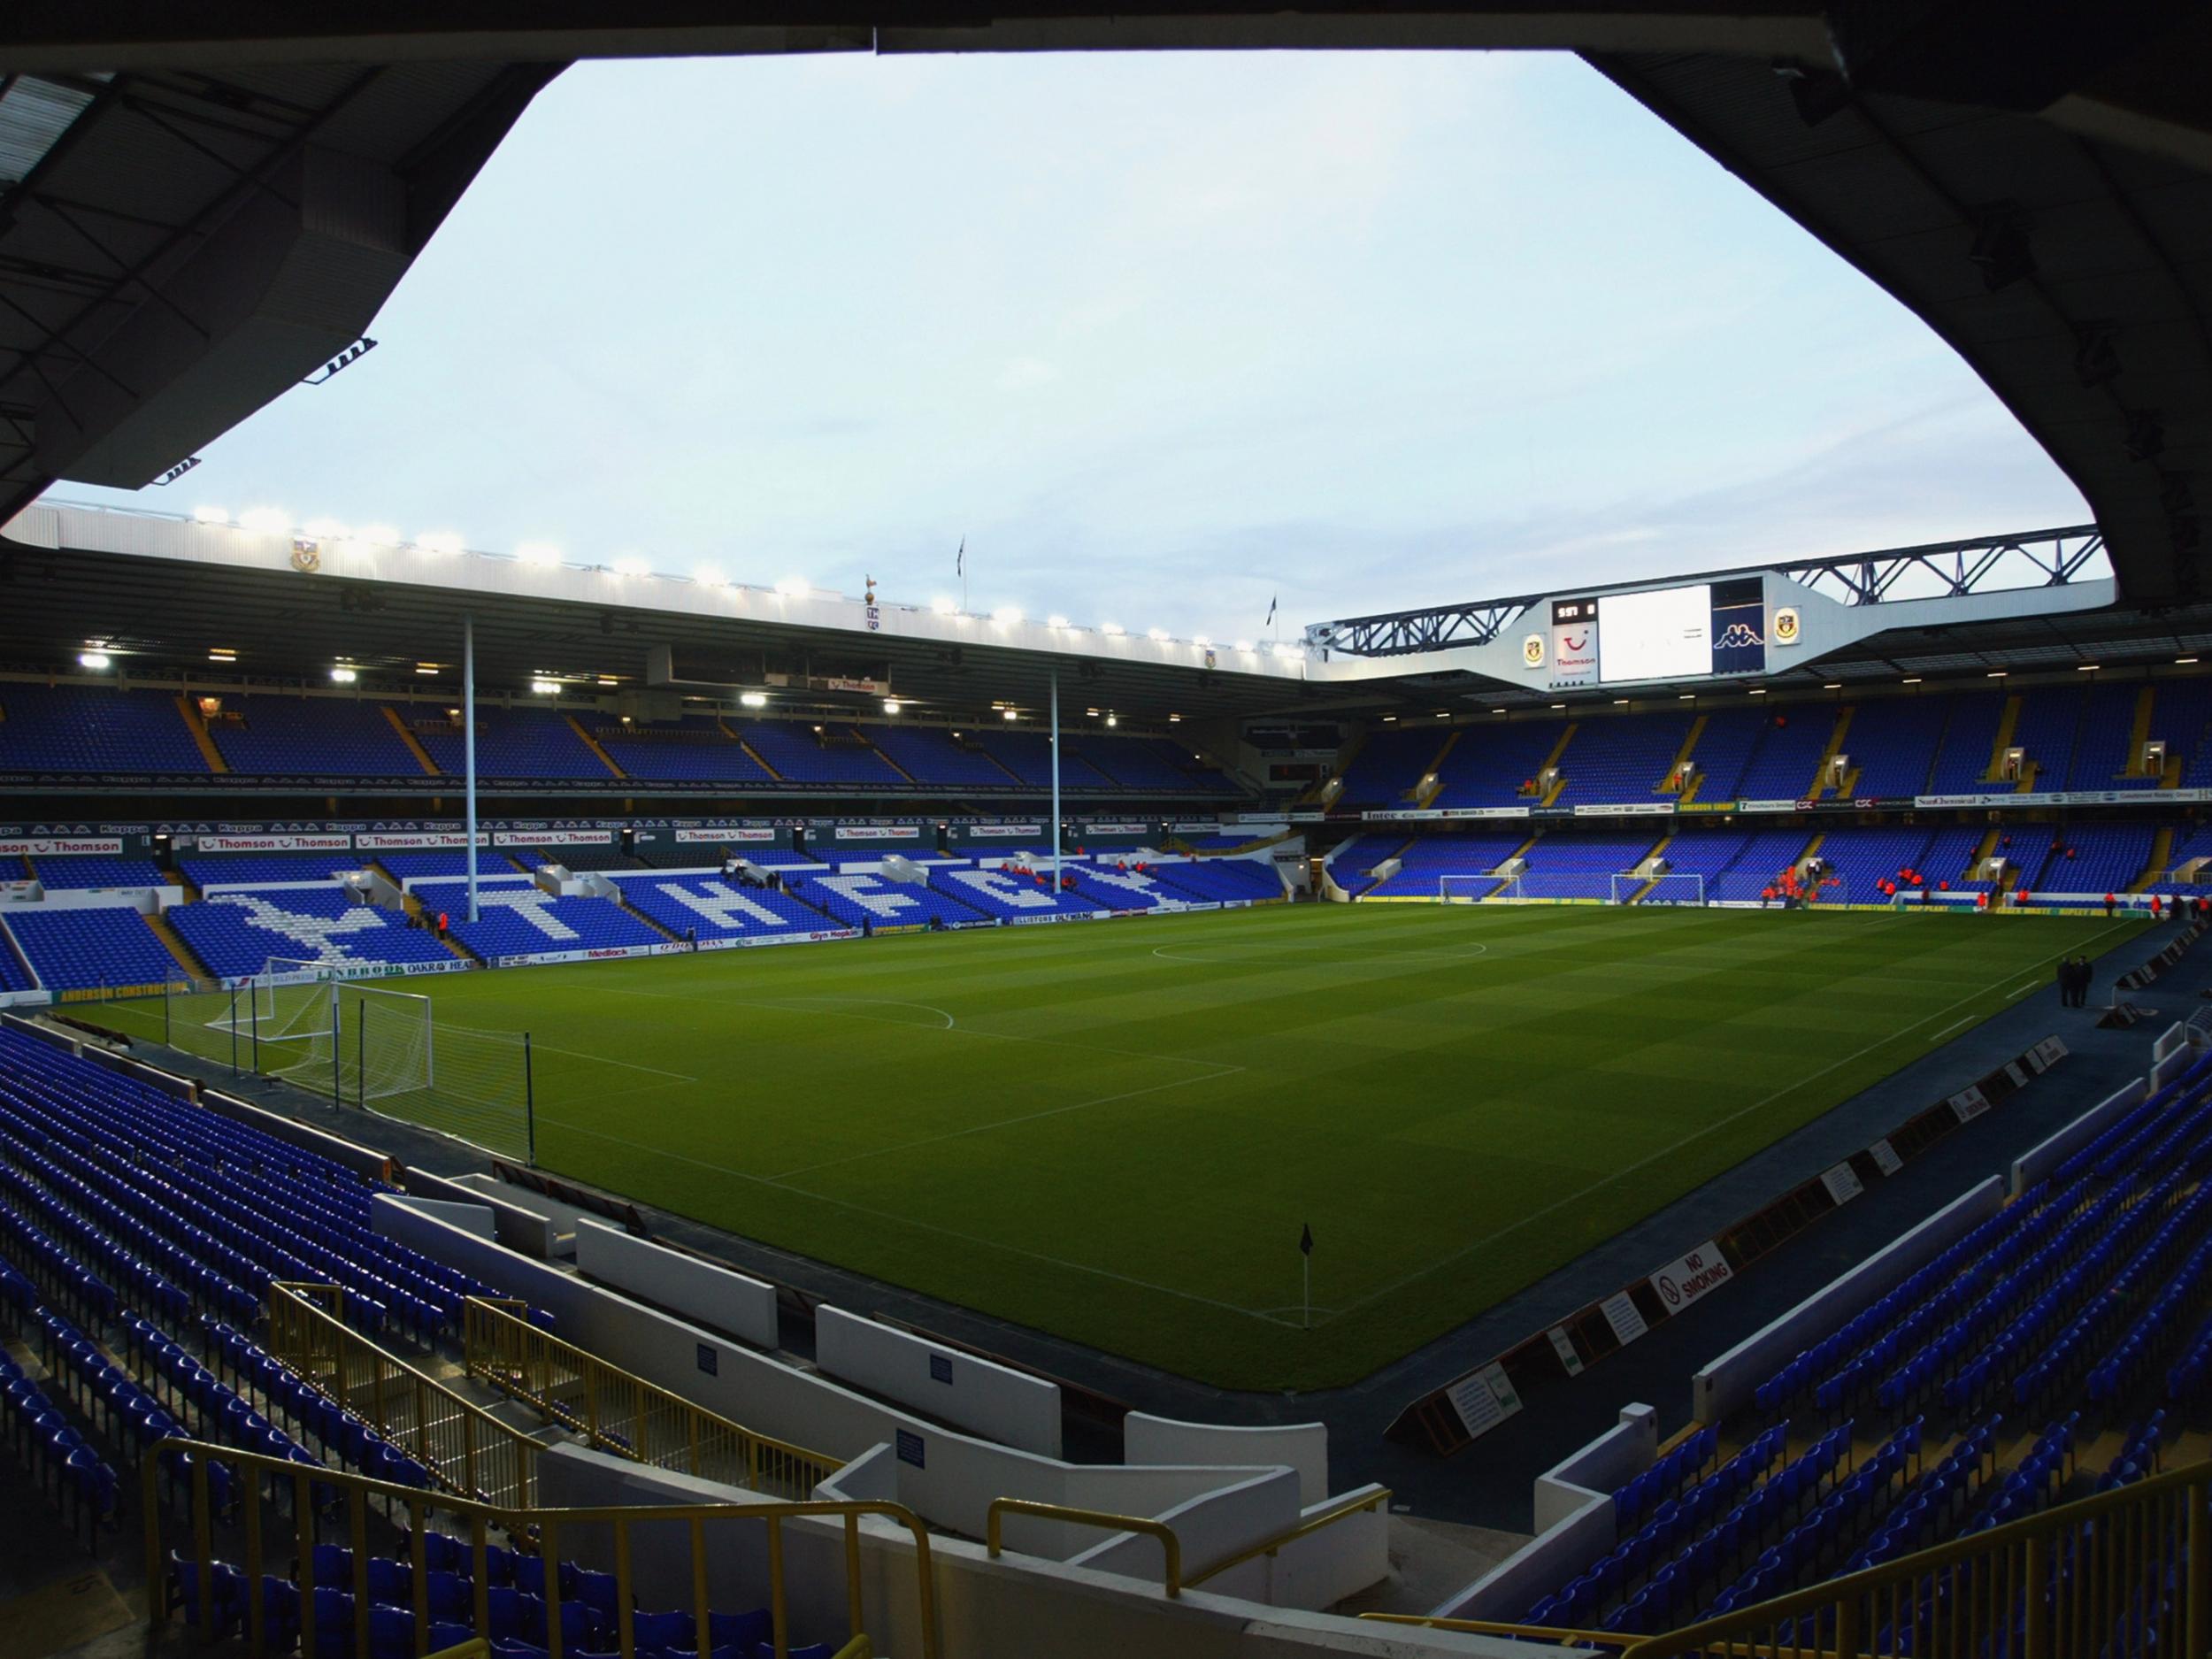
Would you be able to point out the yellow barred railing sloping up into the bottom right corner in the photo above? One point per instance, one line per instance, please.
(2125, 1572)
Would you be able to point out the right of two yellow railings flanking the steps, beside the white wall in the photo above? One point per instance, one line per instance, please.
(625, 1415)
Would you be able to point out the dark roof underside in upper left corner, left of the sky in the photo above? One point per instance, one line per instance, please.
(182, 247)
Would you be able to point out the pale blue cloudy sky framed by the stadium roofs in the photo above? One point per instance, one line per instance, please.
(1160, 337)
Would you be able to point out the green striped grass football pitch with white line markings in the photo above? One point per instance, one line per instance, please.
(1116, 1131)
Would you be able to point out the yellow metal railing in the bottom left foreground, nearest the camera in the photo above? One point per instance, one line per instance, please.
(289, 1507)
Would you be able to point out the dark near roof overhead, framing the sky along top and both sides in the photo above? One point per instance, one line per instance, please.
(196, 236)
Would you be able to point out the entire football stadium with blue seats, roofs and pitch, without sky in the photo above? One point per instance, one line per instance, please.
(1651, 1114)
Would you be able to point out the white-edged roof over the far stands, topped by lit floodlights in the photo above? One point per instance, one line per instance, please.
(160, 594)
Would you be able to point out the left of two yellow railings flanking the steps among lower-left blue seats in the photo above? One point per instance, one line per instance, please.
(461, 1446)
